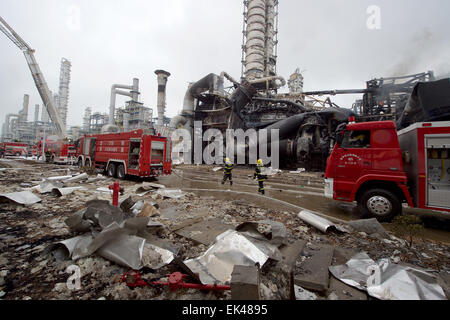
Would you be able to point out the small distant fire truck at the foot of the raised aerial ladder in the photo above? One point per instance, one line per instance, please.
(58, 151)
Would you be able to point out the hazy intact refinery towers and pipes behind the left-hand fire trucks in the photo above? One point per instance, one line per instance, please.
(133, 115)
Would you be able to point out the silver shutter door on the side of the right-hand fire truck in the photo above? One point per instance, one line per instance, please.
(438, 170)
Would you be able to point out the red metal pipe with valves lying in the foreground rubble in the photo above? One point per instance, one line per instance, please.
(133, 280)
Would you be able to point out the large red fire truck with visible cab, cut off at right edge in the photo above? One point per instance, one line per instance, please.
(381, 169)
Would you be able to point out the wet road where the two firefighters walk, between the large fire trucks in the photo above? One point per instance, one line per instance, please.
(304, 190)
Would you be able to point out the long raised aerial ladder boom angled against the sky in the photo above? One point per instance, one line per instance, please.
(38, 77)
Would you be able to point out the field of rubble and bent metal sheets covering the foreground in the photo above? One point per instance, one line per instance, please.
(264, 252)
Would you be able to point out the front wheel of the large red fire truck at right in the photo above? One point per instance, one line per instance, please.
(380, 204)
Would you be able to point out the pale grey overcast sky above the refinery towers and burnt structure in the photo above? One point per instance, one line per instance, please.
(118, 40)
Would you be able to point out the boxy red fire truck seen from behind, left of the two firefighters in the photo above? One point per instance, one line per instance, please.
(130, 153)
